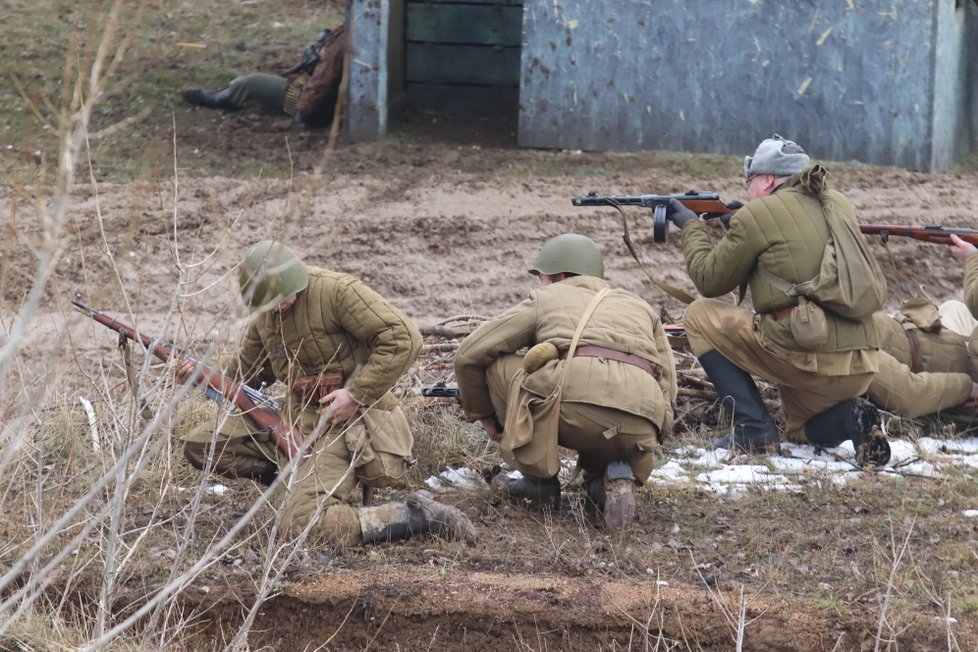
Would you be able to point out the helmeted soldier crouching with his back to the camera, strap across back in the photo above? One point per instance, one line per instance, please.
(602, 357)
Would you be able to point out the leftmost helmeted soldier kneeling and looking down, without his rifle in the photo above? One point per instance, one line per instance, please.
(339, 347)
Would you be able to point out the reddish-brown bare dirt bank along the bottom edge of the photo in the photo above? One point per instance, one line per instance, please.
(412, 608)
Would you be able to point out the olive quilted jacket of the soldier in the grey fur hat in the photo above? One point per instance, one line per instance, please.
(786, 232)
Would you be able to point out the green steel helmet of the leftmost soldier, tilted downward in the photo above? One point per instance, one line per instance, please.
(270, 273)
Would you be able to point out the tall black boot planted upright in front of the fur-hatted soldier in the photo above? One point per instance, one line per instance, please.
(754, 430)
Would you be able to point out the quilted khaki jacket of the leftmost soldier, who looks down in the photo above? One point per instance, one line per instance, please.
(336, 324)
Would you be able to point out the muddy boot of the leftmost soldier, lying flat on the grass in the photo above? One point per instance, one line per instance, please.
(419, 514)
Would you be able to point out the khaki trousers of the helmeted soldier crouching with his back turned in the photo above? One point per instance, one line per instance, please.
(600, 435)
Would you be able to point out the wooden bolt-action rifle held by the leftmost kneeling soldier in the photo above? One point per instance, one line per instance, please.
(253, 404)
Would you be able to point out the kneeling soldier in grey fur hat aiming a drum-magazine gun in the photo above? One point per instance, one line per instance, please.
(776, 243)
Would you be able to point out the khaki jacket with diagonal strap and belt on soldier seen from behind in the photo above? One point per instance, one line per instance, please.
(622, 321)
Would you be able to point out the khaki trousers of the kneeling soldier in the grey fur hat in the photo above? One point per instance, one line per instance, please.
(731, 330)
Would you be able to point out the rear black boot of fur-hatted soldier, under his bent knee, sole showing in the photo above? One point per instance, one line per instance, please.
(857, 420)
